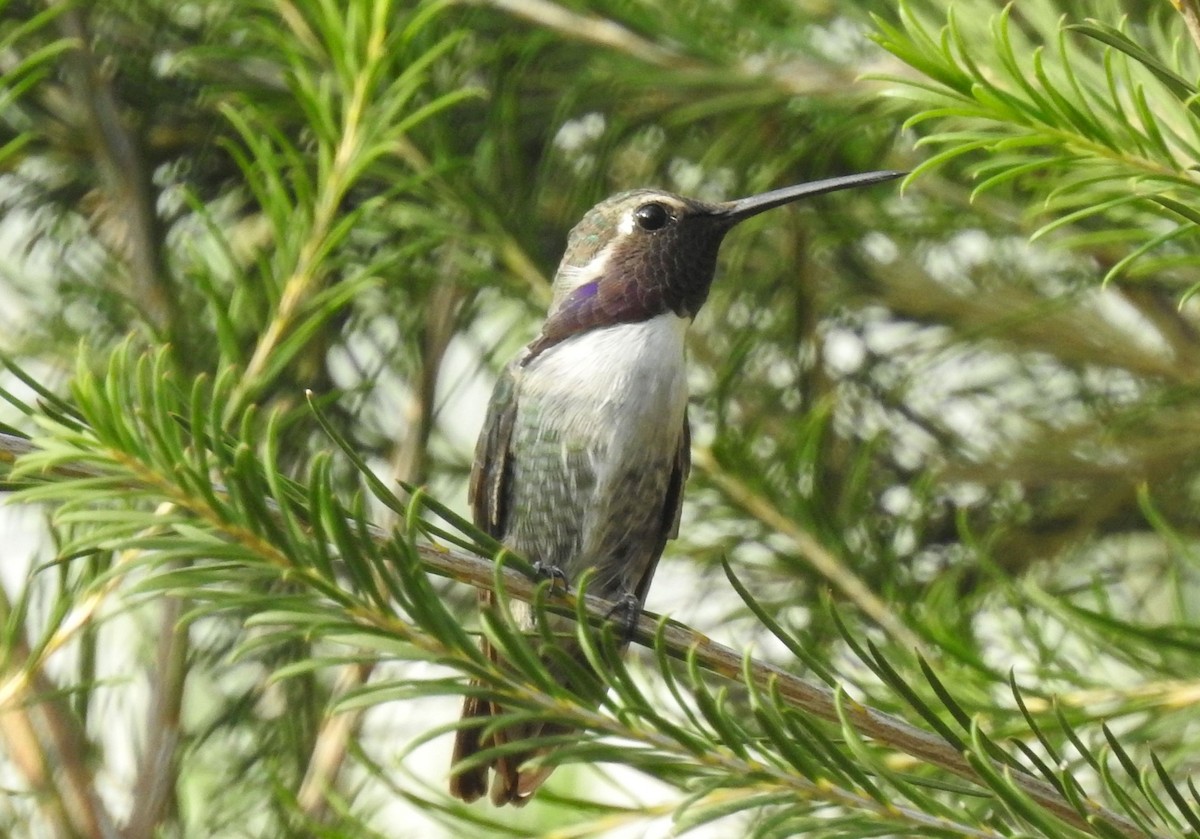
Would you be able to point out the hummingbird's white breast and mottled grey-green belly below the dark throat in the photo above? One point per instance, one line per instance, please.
(598, 427)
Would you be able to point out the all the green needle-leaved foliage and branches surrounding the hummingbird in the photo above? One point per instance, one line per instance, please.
(938, 573)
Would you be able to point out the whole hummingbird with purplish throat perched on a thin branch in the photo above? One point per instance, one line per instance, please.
(586, 447)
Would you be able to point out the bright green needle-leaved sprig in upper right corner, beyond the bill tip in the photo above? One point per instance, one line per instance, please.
(1087, 117)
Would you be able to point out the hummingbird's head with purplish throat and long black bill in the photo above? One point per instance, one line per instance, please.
(647, 253)
